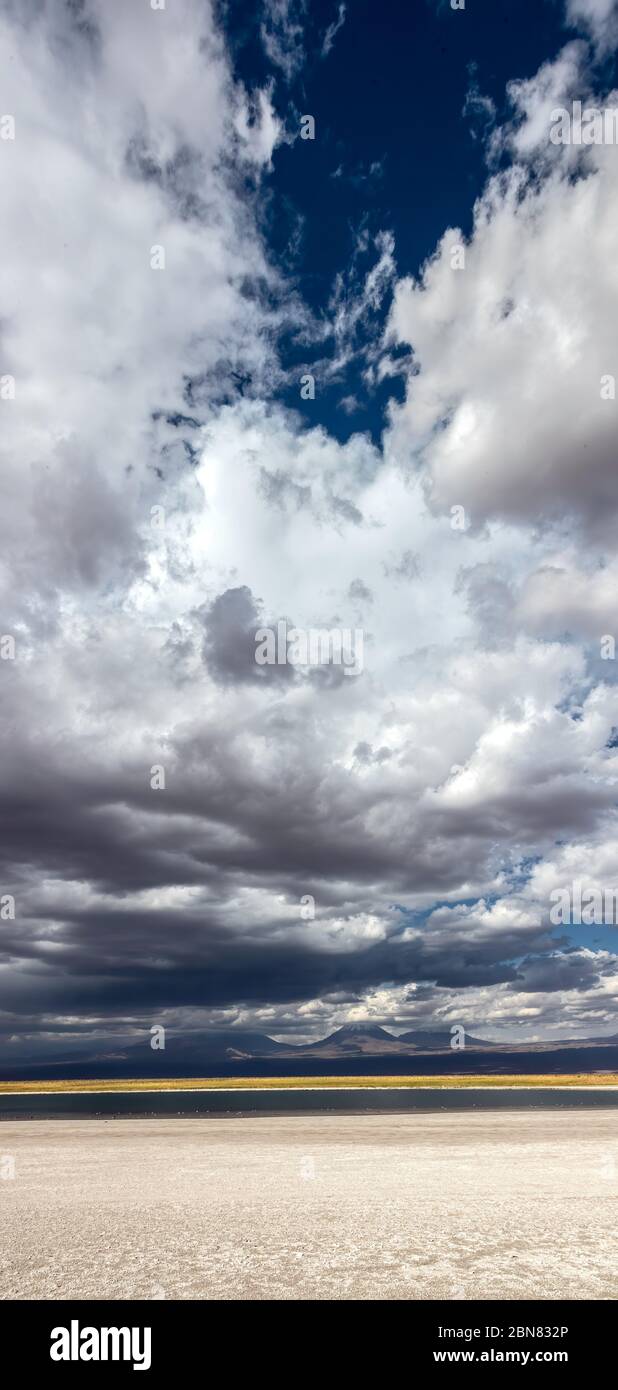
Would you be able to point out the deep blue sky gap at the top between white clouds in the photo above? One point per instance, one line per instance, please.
(401, 147)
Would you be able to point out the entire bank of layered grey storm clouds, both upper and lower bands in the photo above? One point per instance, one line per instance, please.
(253, 808)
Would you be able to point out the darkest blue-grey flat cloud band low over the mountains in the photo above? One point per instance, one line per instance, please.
(133, 963)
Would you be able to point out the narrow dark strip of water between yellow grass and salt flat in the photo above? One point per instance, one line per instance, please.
(298, 1103)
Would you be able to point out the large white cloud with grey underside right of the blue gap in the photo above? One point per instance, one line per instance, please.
(512, 397)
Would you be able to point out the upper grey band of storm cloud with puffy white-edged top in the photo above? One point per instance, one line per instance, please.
(222, 812)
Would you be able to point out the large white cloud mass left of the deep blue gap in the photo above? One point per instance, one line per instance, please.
(135, 226)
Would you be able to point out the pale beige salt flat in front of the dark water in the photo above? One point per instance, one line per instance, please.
(469, 1206)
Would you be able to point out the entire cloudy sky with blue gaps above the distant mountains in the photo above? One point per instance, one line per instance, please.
(362, 383)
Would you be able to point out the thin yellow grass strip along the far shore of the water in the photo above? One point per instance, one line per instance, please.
(299, 1084)
